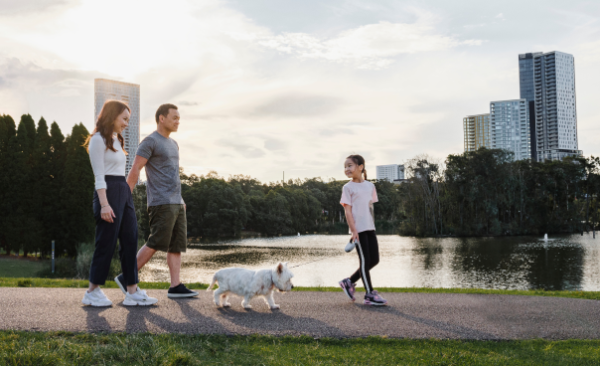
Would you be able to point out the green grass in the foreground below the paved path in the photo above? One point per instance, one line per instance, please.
(62, 348)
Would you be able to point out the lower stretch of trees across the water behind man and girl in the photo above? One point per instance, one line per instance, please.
(220, 207)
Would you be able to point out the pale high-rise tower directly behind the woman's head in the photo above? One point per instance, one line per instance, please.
(130, 94)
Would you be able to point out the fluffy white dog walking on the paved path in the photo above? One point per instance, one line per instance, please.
(249, 284)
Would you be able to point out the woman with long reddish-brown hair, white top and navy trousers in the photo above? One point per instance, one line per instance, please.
(113, 208)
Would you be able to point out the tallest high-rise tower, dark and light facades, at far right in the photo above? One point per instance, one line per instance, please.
(548, 84)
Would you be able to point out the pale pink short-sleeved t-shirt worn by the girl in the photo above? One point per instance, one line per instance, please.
(361, 197)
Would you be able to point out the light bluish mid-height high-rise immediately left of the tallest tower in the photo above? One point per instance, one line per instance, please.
(510, 128)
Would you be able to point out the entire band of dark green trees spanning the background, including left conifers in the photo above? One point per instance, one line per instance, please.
(47, 183)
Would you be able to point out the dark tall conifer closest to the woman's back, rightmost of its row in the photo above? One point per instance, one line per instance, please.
(77, 191)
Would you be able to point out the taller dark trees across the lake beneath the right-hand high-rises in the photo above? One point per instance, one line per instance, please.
(487, 193)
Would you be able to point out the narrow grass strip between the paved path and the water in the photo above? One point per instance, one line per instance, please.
(73, 283)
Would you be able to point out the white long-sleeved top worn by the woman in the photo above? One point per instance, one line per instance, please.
(105, 161)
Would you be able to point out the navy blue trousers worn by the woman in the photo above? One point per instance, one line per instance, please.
(123, 228)
